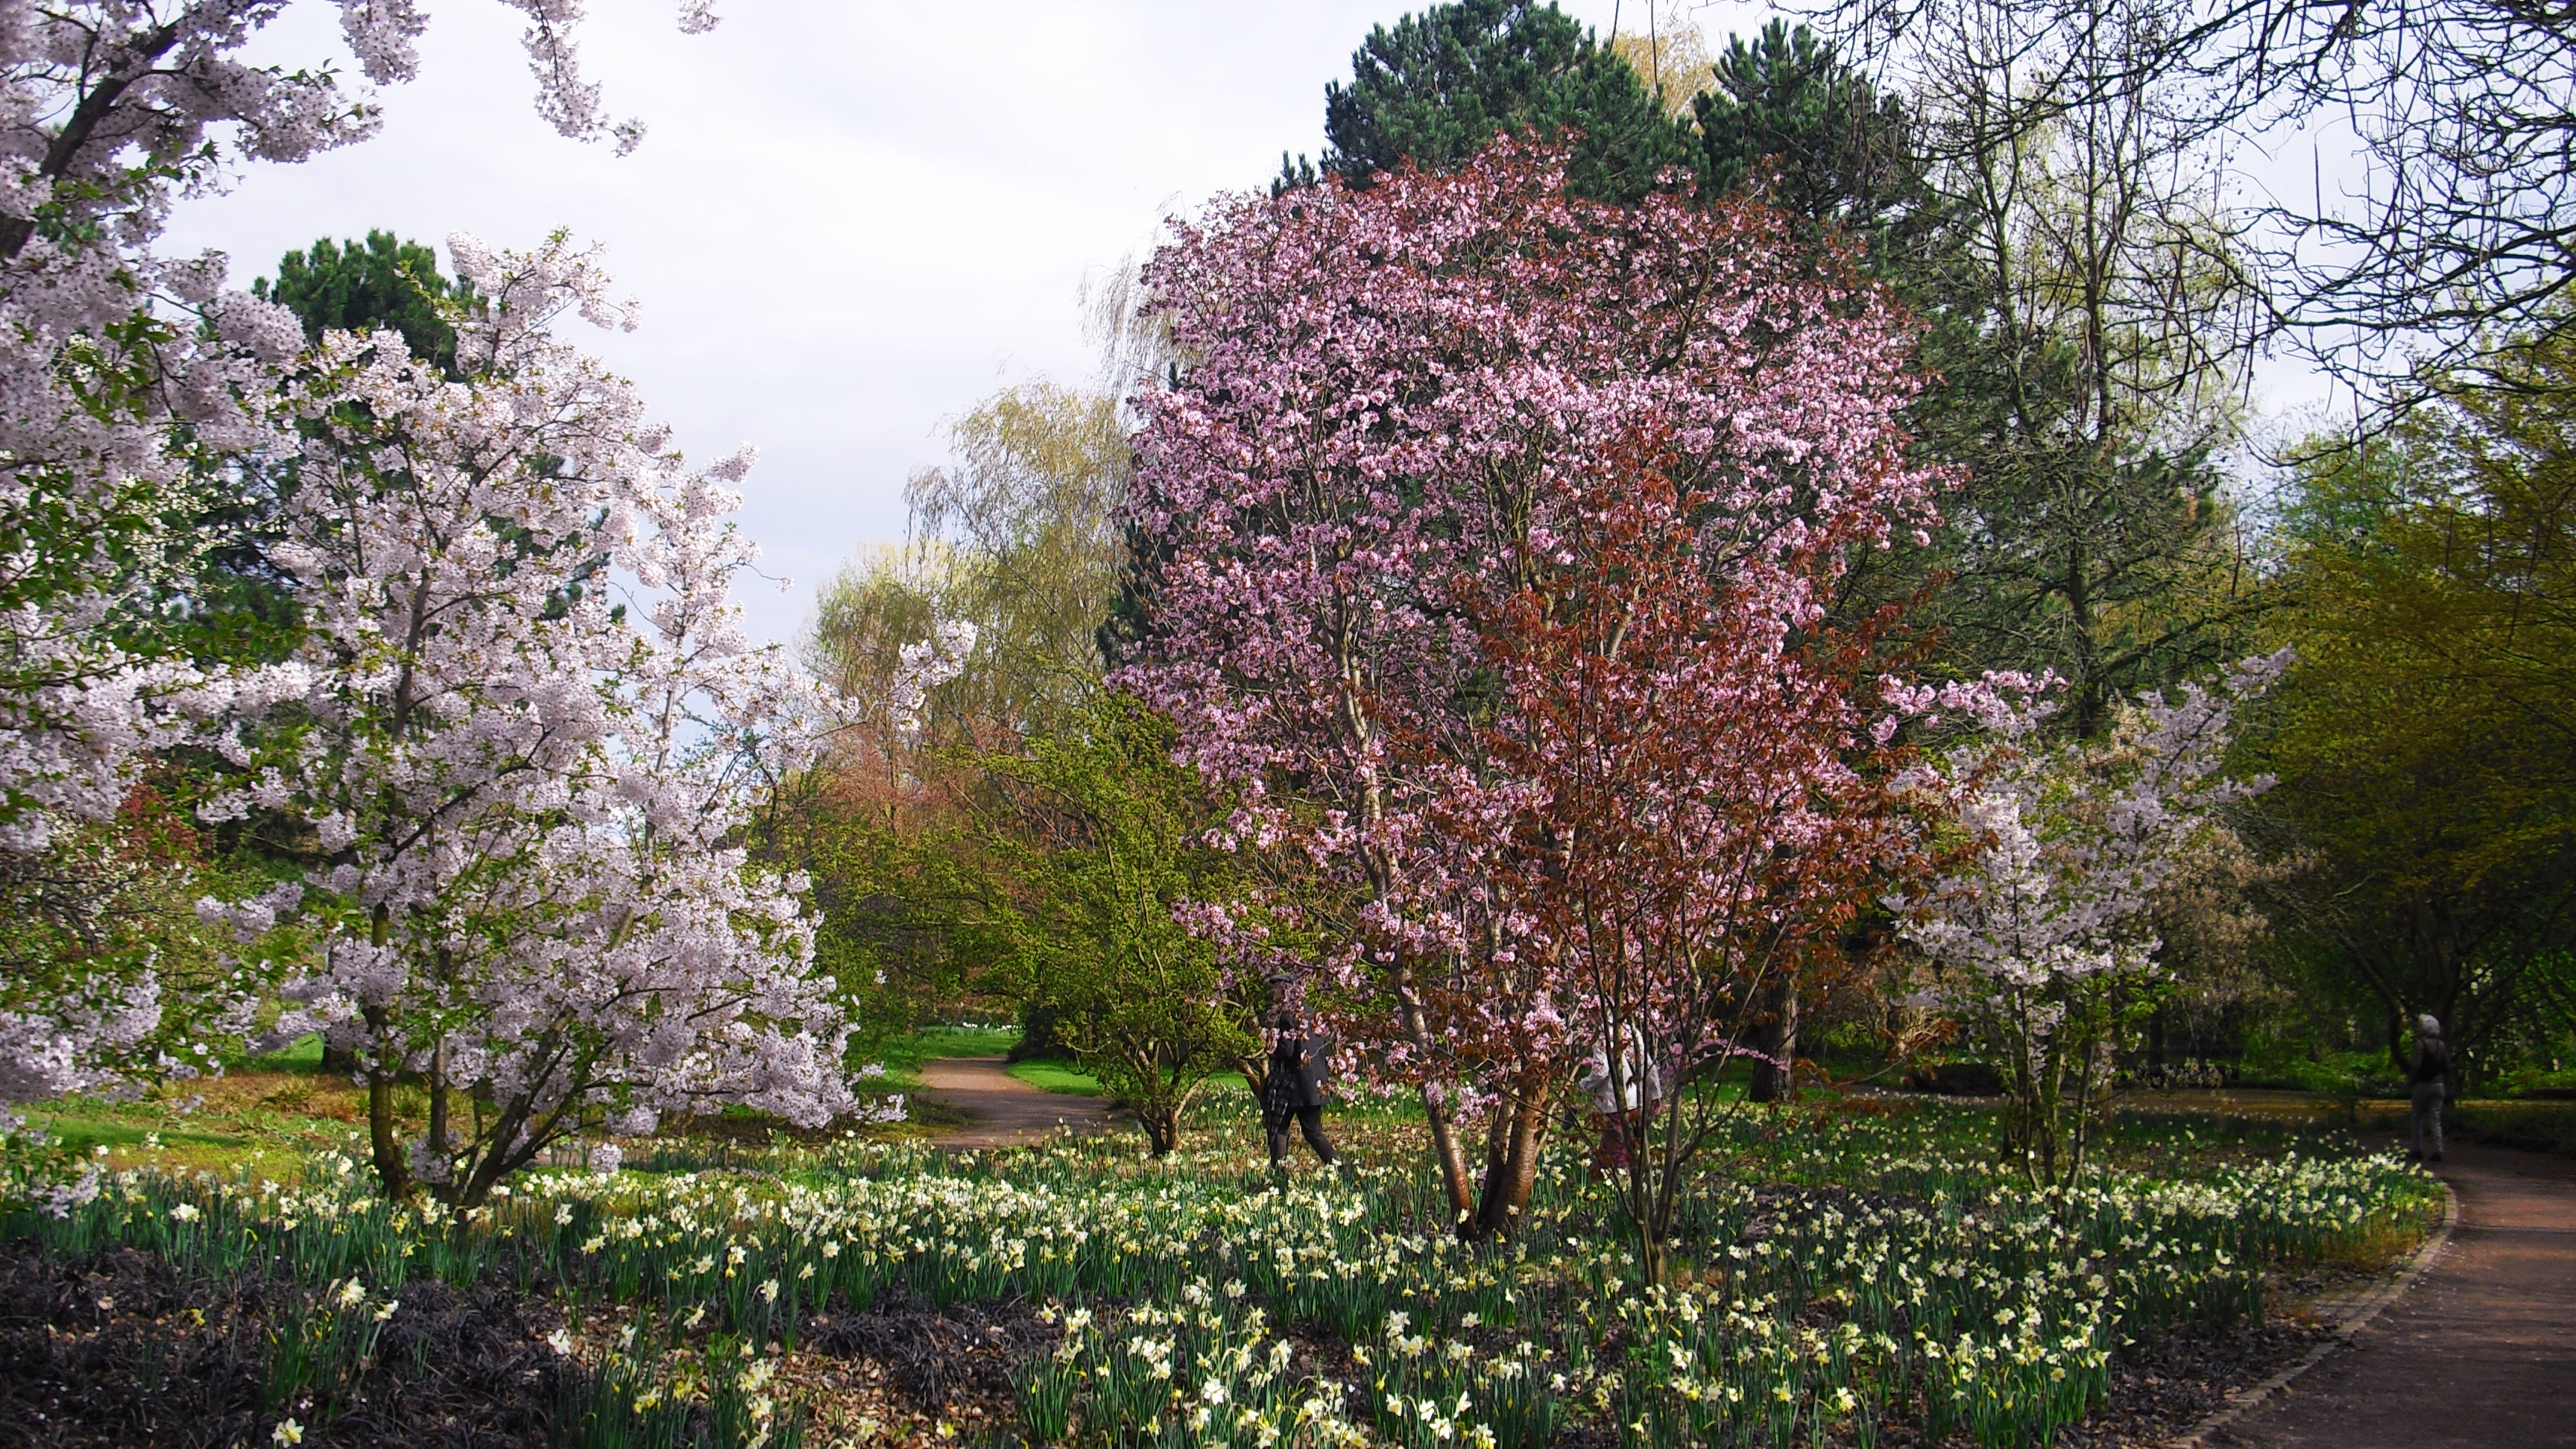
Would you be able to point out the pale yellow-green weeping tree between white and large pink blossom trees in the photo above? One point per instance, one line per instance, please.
(900, 829)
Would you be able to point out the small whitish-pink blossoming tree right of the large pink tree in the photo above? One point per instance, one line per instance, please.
(2047, 917)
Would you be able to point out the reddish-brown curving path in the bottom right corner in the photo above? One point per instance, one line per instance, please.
(2482, 1352)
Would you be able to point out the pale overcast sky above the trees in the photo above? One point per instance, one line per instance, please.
(849, 220)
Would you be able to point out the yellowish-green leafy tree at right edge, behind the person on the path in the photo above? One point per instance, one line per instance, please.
(2428, 736)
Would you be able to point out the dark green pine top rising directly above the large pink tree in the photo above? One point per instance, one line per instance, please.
(1441, 84)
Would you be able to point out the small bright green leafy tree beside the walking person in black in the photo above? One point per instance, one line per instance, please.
(1101, 837)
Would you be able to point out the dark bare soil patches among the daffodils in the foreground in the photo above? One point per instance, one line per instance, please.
(117, 1350)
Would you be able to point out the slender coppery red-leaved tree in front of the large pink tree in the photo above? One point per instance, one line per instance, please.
(1709, 783)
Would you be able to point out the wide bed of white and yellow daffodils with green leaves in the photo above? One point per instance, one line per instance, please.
(1841, 1275)
